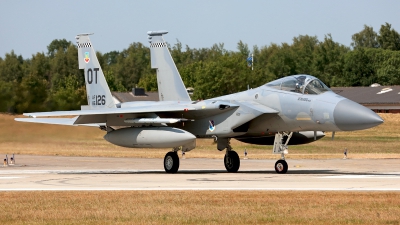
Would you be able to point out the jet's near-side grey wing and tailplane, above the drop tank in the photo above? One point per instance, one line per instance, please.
(122, 116)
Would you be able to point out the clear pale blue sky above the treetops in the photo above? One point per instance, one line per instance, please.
(27, 27)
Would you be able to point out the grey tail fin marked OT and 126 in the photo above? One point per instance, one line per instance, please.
(98, 92)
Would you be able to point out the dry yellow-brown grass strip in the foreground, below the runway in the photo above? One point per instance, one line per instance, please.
(199, 207)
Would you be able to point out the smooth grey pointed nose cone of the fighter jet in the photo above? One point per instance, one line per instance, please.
(349, 115)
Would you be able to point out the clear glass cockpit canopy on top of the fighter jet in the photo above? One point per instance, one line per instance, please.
(304, 84)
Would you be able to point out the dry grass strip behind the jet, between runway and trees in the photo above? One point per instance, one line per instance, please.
(41, 139)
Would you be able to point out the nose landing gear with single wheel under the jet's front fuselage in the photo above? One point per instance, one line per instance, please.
(281, 165)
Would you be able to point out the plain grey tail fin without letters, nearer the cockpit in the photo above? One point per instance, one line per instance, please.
(170, 85)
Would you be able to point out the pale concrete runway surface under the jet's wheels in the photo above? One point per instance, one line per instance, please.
(99, 173)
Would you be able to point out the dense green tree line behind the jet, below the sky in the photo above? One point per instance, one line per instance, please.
(52, 80)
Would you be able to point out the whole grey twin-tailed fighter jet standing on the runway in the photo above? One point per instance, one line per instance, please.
(291, 110)
